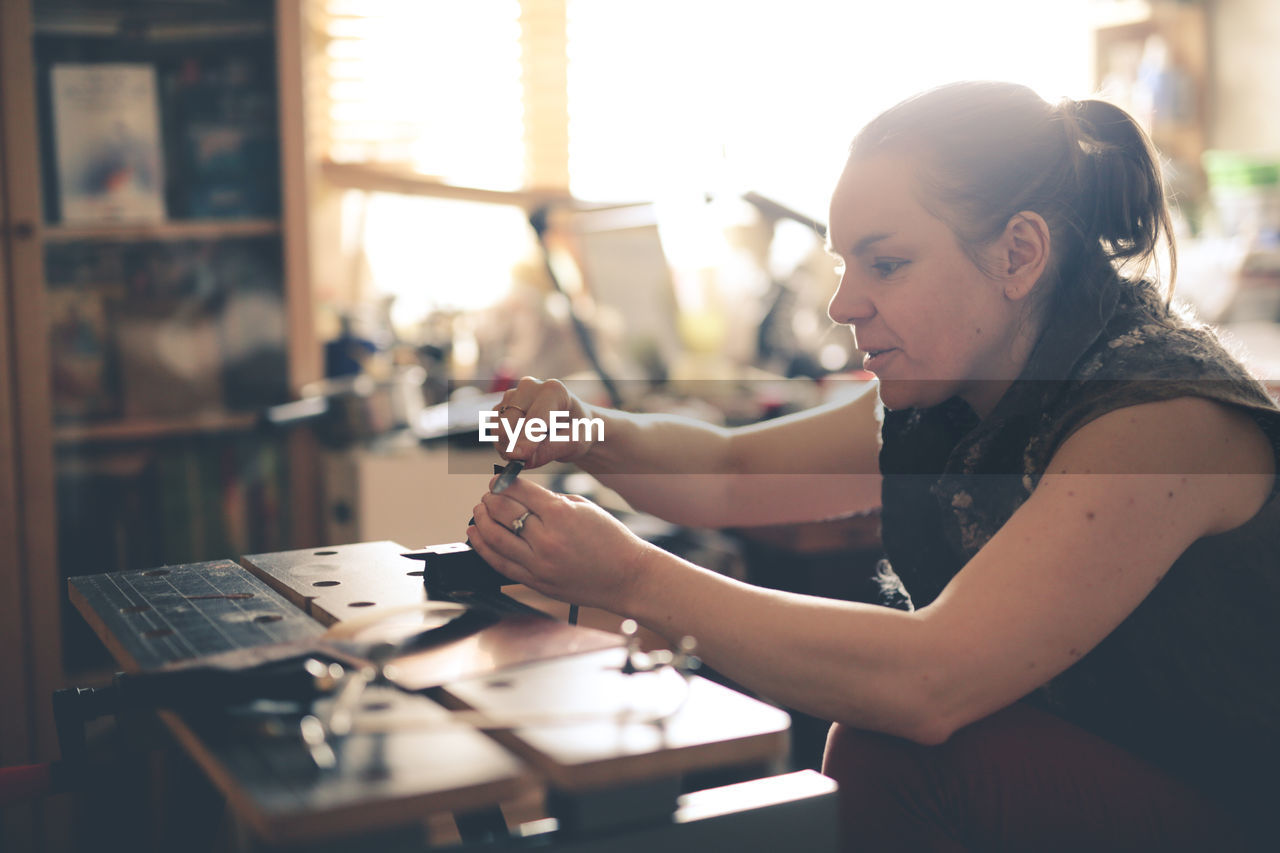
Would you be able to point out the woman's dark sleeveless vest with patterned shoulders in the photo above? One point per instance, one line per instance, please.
(1191, 681)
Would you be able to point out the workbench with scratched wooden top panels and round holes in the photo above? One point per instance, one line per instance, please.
(504, 704)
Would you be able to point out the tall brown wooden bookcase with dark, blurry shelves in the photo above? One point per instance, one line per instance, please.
(107, 460)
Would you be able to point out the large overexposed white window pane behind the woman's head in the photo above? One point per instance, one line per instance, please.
(679, 95)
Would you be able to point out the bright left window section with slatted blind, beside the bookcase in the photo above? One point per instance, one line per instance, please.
(429, 85)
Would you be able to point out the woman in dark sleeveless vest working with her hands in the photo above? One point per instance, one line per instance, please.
(1078, 494)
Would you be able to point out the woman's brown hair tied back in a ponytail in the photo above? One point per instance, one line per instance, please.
(991, 149)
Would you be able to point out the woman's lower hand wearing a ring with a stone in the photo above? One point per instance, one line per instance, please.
(566, 548)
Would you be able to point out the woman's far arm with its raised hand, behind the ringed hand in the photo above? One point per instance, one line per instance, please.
(817, 464)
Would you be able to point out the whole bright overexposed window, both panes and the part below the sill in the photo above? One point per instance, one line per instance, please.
(618, 101)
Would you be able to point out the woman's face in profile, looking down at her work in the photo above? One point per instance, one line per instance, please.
(931, 323)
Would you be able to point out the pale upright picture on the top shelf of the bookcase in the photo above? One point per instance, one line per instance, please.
(107, 130)
